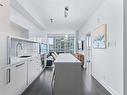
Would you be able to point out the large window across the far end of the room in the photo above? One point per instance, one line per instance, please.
(61, 44)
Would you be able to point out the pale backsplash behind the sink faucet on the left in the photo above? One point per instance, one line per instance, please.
(23, 48)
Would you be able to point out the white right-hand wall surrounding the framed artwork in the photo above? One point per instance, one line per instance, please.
(107, 64)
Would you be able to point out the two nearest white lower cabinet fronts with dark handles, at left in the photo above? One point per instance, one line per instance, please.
(13, 80)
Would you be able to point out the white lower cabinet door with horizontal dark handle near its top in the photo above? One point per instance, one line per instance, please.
(19, 77)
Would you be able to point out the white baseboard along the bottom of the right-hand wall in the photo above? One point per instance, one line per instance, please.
(107, 87)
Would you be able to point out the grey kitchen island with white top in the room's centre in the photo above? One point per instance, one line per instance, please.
(67, 75)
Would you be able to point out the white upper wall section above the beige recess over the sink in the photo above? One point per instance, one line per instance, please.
(19, 19)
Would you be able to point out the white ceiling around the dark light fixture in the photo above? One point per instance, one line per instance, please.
(79, 12)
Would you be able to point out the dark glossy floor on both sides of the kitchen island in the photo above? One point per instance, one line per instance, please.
(42, 86)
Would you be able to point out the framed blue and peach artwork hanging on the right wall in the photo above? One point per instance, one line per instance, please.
(99, 37)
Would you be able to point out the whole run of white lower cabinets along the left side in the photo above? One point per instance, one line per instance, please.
(15, 79)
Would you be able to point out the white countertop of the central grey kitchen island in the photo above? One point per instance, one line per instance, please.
(66, 58)
